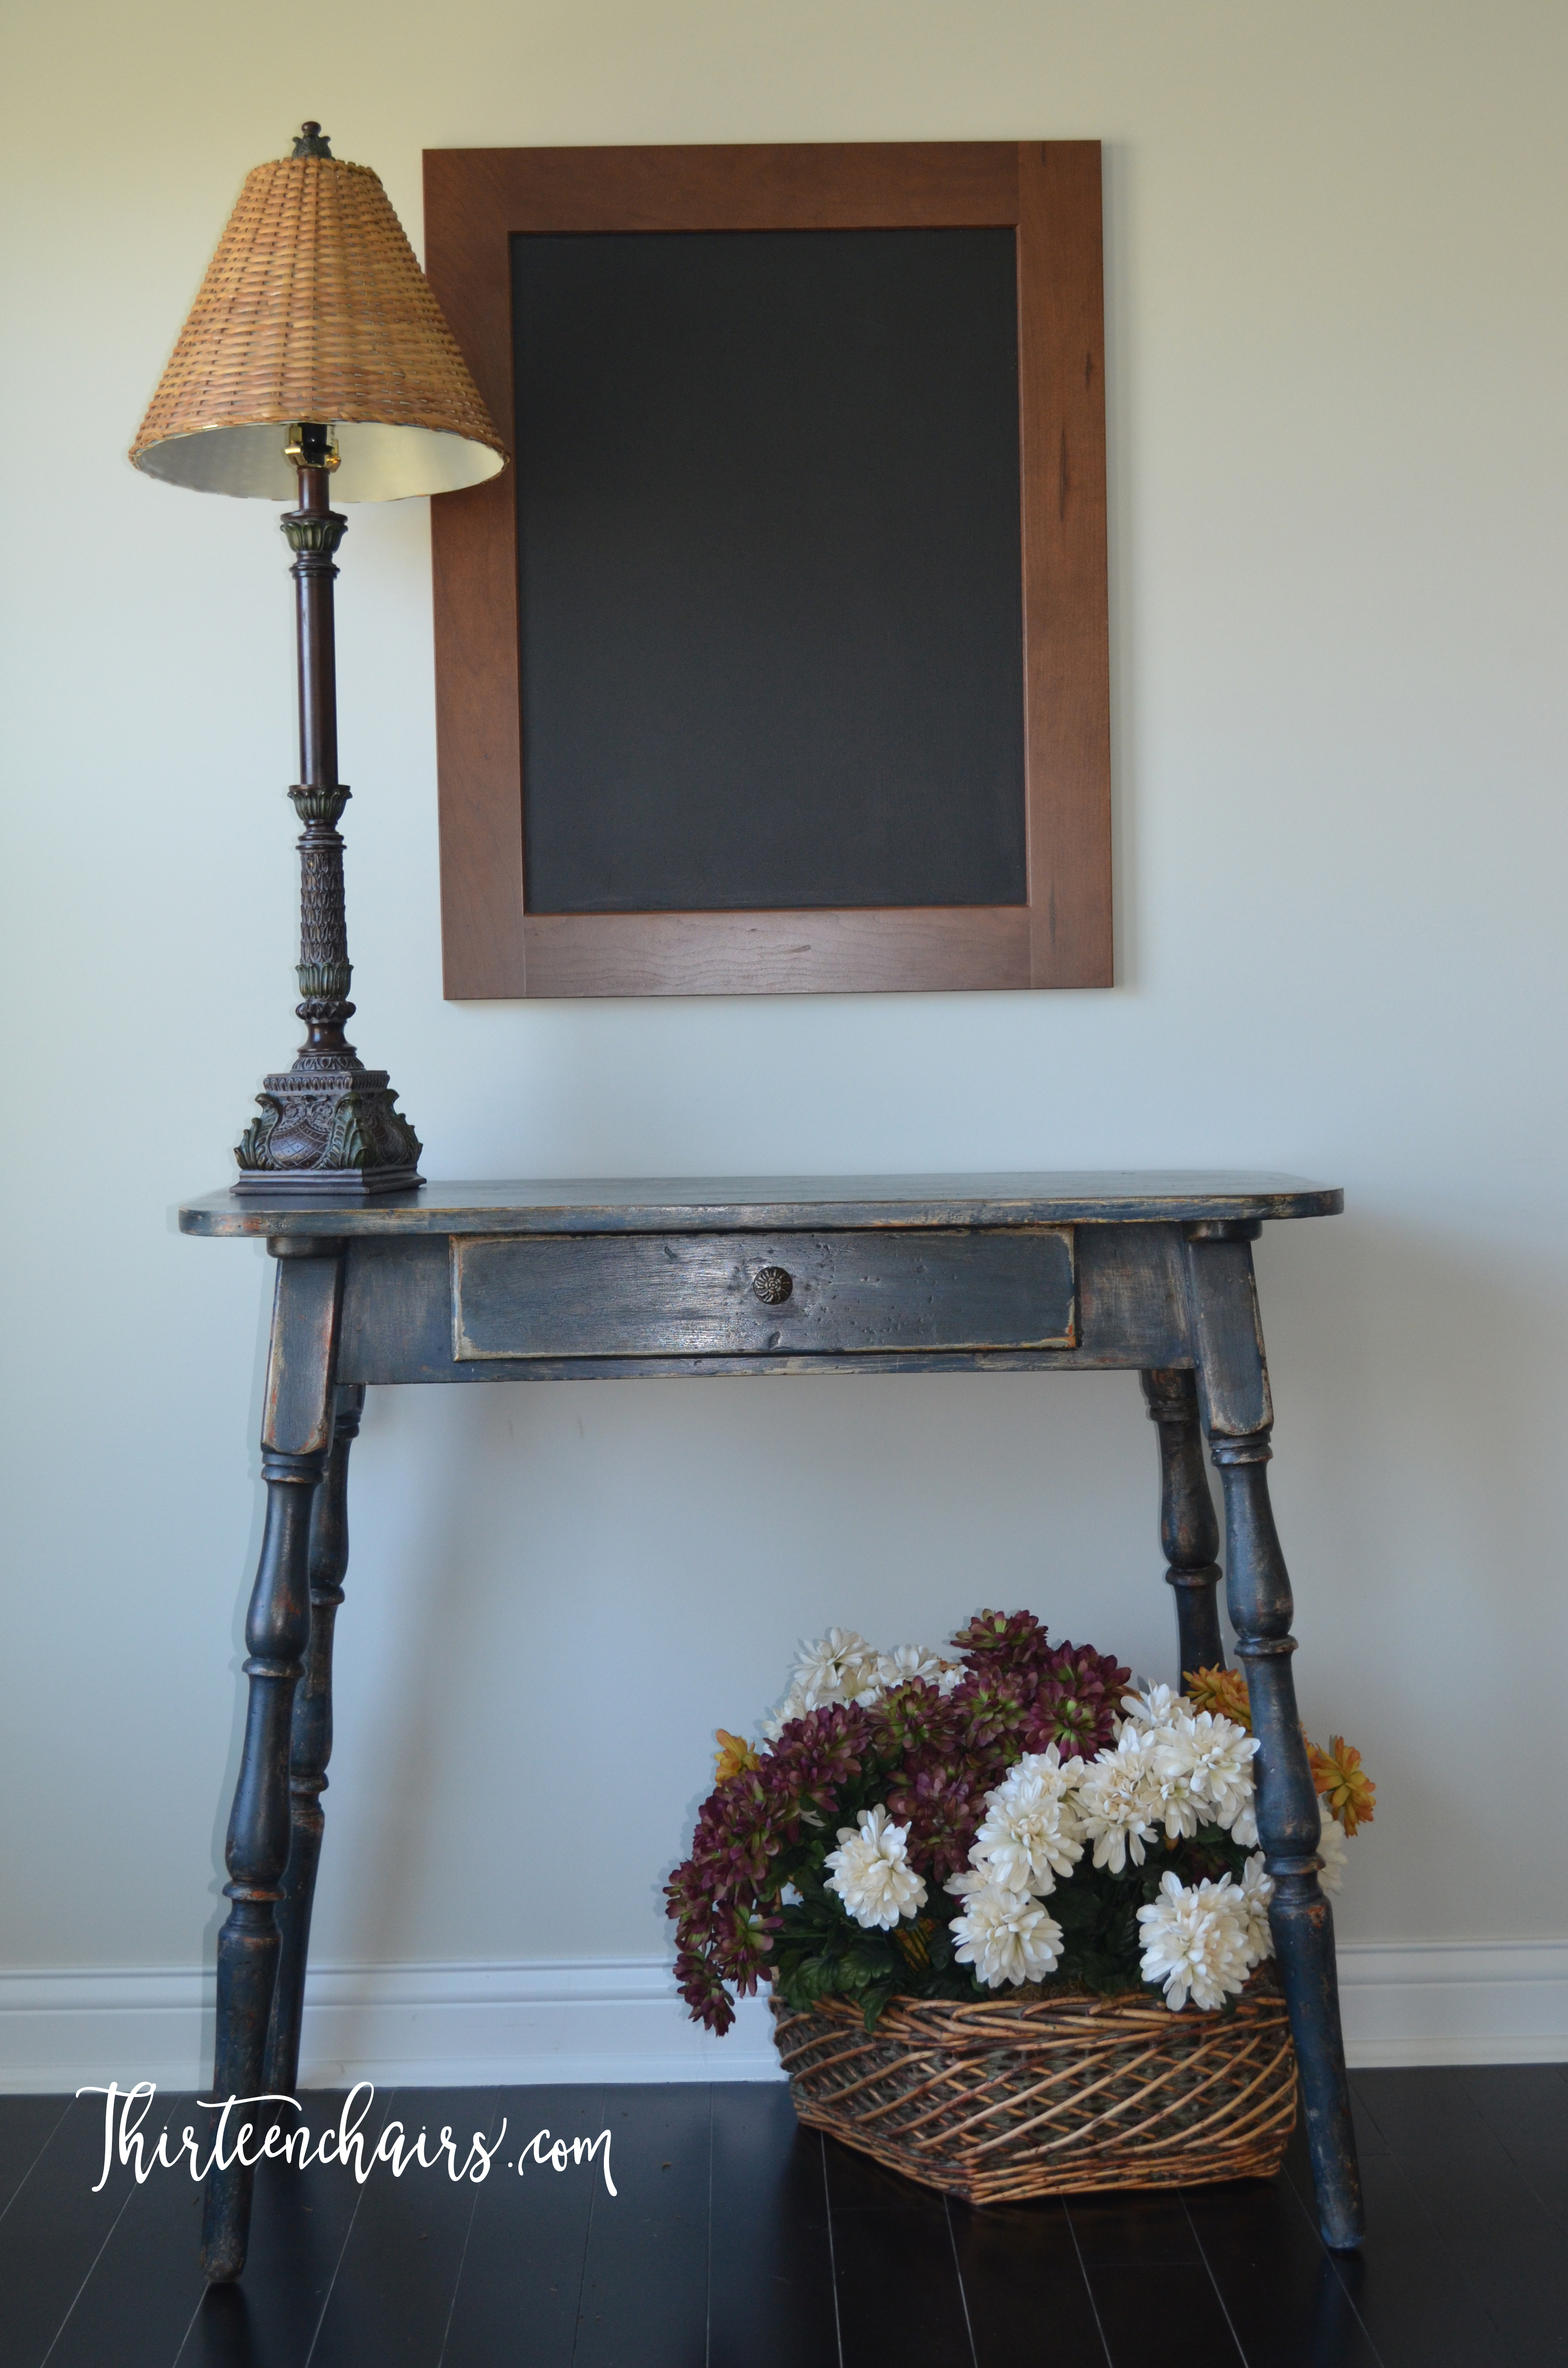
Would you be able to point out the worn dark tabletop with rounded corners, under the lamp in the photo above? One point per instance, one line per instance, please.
(771, 1204)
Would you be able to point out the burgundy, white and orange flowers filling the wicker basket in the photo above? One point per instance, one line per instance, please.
(923, 1827)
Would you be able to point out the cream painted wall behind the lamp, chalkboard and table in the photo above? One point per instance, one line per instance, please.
(1339, 430)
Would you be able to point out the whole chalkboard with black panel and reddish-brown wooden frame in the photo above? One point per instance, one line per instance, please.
(780, 657)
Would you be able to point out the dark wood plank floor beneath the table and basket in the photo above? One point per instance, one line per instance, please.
(740, 2241)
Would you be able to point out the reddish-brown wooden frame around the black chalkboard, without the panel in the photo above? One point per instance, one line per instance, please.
(475, 200)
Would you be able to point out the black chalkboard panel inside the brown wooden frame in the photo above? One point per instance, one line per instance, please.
(769, 570)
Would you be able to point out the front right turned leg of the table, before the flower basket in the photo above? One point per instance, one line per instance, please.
(1235, 1391)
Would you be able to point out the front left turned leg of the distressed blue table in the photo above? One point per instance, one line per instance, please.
(295, 1439)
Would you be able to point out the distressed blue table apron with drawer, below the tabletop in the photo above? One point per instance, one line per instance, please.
(591, 1308)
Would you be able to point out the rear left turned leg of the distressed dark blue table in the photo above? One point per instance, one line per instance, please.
(311, 1744)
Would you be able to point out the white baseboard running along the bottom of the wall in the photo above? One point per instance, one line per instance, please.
(619, 2021)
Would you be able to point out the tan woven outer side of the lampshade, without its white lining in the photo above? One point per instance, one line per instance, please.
(316, 309)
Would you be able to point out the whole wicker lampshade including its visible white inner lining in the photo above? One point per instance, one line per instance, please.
(314, 309)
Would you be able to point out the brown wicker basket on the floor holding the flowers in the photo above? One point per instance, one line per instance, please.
(1050, 2094)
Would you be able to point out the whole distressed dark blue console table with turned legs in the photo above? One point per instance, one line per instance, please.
(761, 1275)
